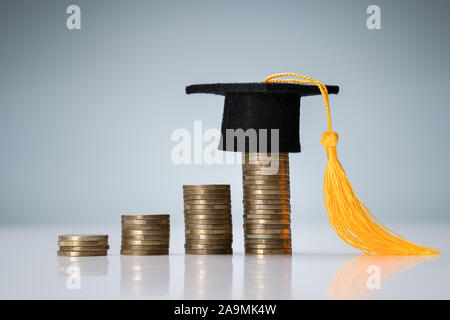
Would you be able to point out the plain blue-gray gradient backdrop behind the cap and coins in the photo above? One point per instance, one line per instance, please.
(86, 116)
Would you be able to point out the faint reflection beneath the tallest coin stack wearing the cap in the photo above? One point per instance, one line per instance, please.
(267, 277)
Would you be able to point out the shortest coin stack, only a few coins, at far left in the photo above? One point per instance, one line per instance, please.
(83, 245)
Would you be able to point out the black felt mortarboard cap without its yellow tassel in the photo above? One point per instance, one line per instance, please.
(261, 106)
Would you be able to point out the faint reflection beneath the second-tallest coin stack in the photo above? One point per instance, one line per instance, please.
(208, 276)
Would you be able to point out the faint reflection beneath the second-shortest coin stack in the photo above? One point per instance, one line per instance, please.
(144, 275)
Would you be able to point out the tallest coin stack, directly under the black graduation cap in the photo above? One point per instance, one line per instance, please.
(267, 208)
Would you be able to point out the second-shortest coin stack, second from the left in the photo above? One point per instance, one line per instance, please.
(144, 235)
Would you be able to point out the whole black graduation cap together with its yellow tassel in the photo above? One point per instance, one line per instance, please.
(275, 104)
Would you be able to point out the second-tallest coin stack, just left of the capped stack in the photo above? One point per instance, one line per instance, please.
(207, 217)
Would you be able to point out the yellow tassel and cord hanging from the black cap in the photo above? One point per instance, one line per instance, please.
(348, 216)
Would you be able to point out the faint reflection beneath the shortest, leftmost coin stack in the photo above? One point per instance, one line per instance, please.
(86, 266)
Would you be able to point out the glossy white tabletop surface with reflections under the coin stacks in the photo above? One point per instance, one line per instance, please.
(322, 267)
